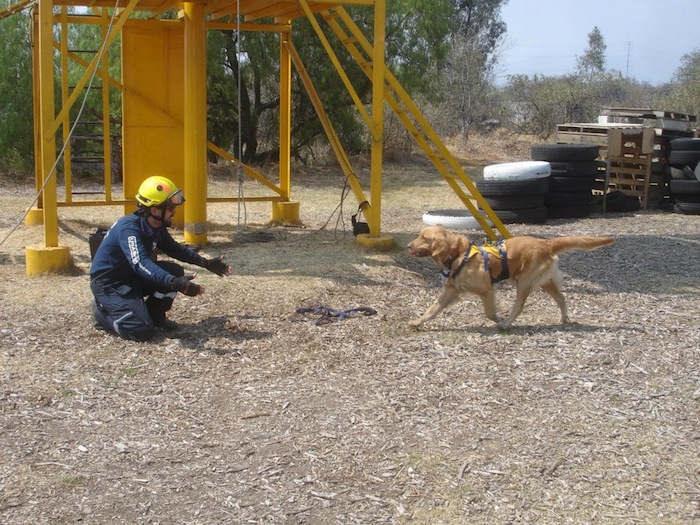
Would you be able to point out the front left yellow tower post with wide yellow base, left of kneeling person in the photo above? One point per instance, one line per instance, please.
(50, 257)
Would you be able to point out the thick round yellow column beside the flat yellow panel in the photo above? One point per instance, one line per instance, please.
(195, 125)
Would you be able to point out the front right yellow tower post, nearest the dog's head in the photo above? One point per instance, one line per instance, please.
(375, 238)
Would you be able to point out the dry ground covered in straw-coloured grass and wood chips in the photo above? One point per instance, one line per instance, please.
(253, 413)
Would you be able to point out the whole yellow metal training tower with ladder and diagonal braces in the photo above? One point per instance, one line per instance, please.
(163, 88)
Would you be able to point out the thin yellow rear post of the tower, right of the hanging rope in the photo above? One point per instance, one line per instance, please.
(286, 211)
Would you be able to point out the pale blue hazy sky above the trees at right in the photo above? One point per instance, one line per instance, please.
(645, 39)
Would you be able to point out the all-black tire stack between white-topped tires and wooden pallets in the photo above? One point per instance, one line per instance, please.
(574, 170)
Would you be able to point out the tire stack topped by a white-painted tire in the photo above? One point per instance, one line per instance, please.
(516, 191)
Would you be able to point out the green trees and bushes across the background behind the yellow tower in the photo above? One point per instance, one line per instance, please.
(443, 52)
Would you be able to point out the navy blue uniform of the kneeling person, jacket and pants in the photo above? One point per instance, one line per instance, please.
(124, 273)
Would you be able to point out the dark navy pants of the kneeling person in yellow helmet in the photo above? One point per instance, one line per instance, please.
(121, 306)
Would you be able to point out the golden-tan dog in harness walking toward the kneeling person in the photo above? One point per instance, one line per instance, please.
(528, 262)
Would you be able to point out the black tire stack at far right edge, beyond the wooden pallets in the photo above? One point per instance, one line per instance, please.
(684, 186)
